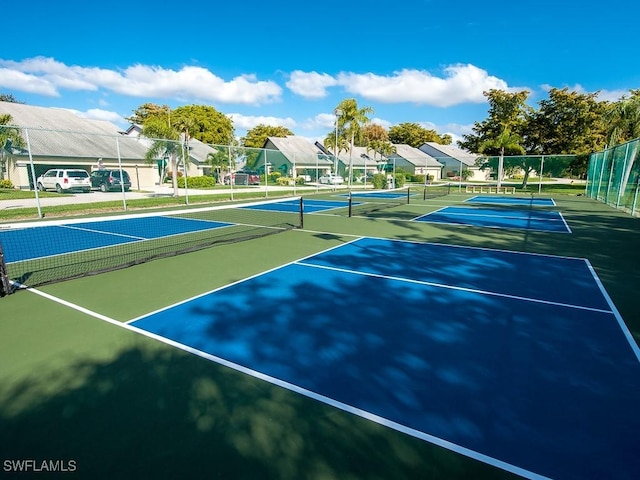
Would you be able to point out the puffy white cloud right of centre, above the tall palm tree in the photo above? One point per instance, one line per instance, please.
(461, 84)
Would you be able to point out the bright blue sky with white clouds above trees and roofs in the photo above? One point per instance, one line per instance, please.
(290, 63)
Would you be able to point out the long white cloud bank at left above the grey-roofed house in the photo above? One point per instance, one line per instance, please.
(47, 76)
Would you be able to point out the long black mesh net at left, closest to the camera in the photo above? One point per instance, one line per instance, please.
(52, 251)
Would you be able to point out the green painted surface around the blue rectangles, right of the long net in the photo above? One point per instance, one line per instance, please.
(76, 385)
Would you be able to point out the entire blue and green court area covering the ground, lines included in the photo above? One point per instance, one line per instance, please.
(352, 347)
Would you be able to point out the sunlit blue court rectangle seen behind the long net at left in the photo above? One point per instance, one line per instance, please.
(46, 241)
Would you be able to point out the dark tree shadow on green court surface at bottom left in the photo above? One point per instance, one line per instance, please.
(156, 412)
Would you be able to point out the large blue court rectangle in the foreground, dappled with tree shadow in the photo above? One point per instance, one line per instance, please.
(518, 360)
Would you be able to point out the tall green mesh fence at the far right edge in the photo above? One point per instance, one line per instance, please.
(614, 176)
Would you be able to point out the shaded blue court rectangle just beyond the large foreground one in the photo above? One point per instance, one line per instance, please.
(542, 220)
